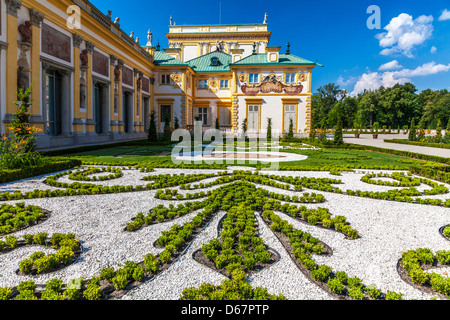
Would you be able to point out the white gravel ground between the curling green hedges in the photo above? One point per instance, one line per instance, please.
(387, 229)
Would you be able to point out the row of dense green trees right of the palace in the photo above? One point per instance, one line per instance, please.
(393, 107)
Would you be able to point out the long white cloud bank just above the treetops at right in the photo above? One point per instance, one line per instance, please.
(374, 80)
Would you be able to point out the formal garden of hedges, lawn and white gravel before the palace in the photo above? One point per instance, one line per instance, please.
(342, 222)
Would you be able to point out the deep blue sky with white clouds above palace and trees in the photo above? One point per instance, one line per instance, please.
(333, 32)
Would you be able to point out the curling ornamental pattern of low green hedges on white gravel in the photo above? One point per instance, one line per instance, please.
(237, 252)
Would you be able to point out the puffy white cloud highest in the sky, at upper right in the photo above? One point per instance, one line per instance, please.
(404, 33)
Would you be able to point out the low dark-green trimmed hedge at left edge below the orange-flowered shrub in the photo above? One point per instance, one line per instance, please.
(50, 165)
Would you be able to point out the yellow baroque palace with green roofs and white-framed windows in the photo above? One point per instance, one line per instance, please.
(93, 83)
